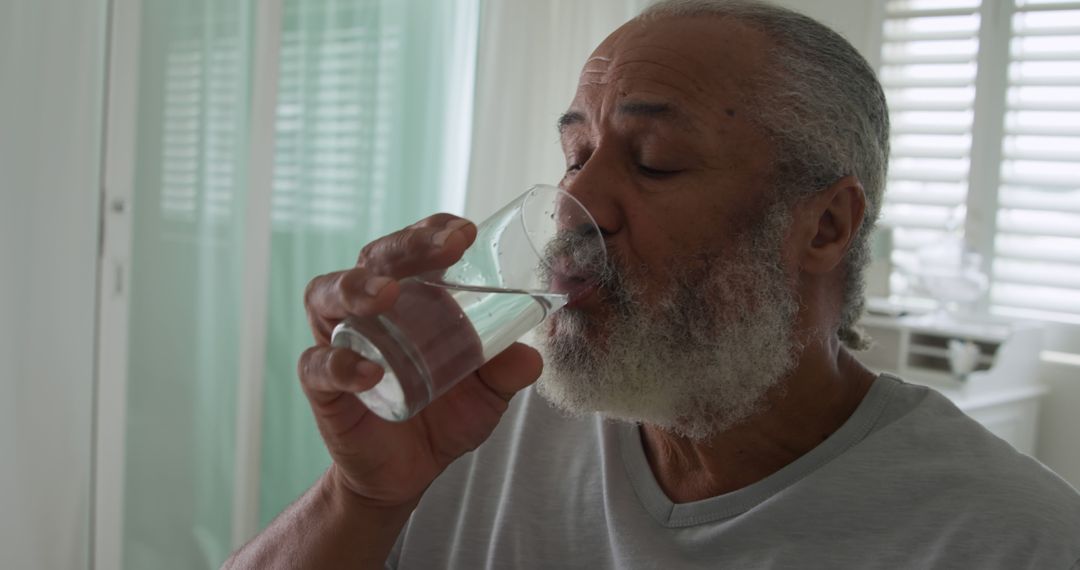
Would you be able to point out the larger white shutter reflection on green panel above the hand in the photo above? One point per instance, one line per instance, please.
(331, 108)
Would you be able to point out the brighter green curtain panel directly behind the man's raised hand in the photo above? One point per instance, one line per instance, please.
(368, 141)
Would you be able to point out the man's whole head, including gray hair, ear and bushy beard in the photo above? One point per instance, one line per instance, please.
(727, 186)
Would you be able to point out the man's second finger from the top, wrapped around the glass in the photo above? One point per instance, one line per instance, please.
(357, 292)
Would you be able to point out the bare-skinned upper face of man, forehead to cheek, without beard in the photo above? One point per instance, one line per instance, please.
(659, 144)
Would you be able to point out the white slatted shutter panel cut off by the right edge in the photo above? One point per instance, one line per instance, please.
(1037, 250)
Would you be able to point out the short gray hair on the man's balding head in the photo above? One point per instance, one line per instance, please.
(825, 113)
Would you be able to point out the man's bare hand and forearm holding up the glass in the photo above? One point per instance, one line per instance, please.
(352, 518)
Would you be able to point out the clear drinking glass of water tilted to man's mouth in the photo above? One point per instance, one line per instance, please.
(528, 262)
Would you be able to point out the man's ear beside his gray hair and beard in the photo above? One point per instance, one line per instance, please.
(828, 224)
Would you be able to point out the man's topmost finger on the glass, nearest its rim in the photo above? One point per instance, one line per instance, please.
(424, 247)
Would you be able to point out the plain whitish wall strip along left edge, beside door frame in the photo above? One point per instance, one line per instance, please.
(51, 83)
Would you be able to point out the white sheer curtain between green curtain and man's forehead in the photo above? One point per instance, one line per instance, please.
(528, 73)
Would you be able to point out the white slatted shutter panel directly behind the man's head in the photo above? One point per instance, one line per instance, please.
(929, 57)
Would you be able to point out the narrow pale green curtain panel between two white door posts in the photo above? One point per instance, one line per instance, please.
(187, 275)
